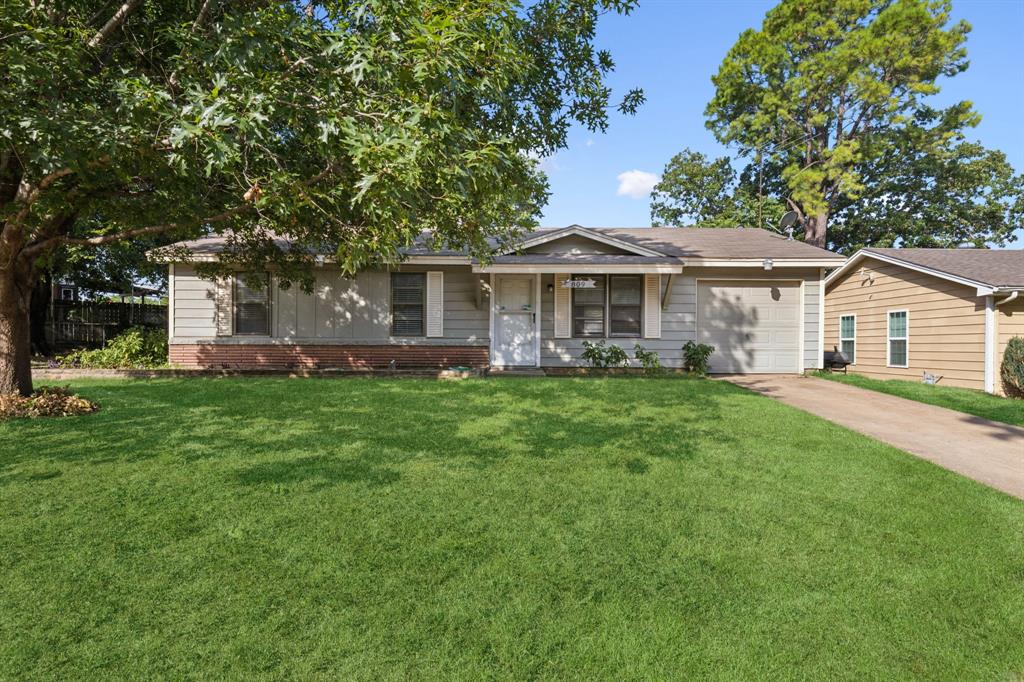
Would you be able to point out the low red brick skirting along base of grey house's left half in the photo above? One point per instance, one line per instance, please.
(226, 357)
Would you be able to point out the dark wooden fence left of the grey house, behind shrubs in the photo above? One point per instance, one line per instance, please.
(94, 324)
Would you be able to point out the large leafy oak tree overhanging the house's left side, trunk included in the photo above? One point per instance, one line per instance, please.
(350, 125)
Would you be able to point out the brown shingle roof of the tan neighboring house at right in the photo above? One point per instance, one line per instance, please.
(994, 268)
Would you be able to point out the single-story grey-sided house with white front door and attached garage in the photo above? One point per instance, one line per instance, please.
(755, 296)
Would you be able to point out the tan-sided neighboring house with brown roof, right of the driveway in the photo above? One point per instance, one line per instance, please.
(901, 313)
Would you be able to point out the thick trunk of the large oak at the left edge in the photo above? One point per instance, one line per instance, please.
(16, 357)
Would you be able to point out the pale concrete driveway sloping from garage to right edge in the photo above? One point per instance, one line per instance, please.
(989, 452)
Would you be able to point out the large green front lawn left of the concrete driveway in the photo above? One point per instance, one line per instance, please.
(618, 529)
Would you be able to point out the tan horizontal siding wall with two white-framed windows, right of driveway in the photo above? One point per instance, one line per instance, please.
(947, 324)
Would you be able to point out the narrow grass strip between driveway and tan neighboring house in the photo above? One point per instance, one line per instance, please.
(979, 404)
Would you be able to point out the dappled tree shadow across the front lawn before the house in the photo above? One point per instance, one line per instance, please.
(339, 432)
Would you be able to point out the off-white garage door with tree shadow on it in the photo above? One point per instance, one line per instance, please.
(754, 326)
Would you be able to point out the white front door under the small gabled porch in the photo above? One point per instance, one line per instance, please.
(516, 331)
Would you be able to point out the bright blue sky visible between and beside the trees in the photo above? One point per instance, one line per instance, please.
(671, 49)
